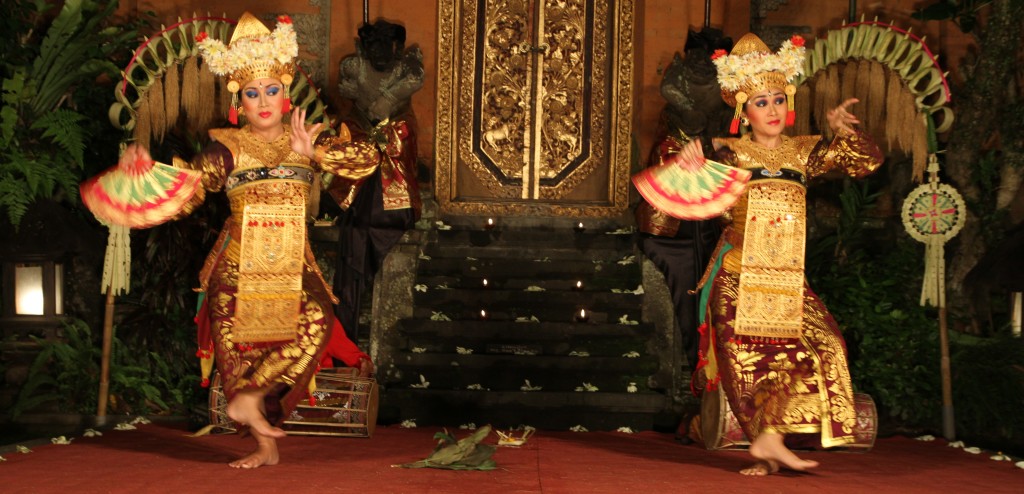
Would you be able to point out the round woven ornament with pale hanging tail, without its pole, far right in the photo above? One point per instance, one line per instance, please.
(933, 214)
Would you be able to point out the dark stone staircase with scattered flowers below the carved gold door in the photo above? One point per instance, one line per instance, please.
(528, 359)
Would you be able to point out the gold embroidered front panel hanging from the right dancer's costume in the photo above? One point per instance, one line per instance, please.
(772, 281)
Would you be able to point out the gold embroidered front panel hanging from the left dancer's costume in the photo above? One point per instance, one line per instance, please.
(270, 294)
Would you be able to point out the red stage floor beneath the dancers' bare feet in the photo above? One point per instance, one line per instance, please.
(158, 459)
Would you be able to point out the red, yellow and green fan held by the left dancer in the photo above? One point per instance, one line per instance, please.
(140, 195)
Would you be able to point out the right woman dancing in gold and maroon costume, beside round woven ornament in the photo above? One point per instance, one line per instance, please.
(770, 343)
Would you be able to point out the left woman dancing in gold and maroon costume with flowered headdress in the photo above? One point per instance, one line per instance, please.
(266, 316)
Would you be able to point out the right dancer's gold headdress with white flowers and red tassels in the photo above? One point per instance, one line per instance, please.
(752, 68)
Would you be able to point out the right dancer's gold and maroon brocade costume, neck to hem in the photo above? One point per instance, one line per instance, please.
(773, 346)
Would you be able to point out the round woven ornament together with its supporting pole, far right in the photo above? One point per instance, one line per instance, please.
(933, 214)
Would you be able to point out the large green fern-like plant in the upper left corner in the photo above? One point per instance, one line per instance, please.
(47, 118)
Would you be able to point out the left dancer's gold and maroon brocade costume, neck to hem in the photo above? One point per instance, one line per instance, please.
(267, 315)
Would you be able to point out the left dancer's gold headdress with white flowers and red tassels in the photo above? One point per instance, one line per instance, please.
(253, 53)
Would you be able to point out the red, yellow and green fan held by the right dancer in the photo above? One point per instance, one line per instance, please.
(687, 194)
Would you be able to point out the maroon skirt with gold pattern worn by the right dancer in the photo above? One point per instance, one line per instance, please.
(794, 386)
